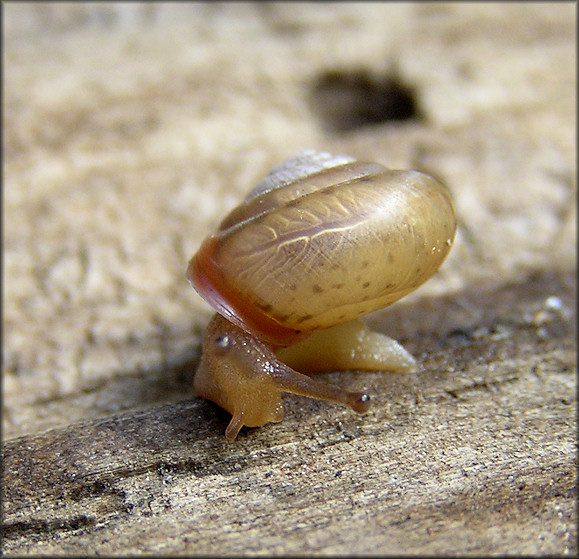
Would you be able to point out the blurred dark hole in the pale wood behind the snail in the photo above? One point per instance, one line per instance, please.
(348, 100)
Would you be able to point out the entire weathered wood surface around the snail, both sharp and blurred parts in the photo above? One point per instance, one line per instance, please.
(131, 129)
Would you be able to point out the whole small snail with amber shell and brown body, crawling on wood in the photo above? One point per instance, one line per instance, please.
(320, 241)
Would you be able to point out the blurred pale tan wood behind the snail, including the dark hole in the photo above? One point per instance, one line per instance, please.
(131, 128)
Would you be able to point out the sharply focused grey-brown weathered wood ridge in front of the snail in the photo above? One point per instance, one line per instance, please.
(475, 454)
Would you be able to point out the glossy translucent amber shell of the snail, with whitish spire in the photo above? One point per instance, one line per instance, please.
(322, 240)
